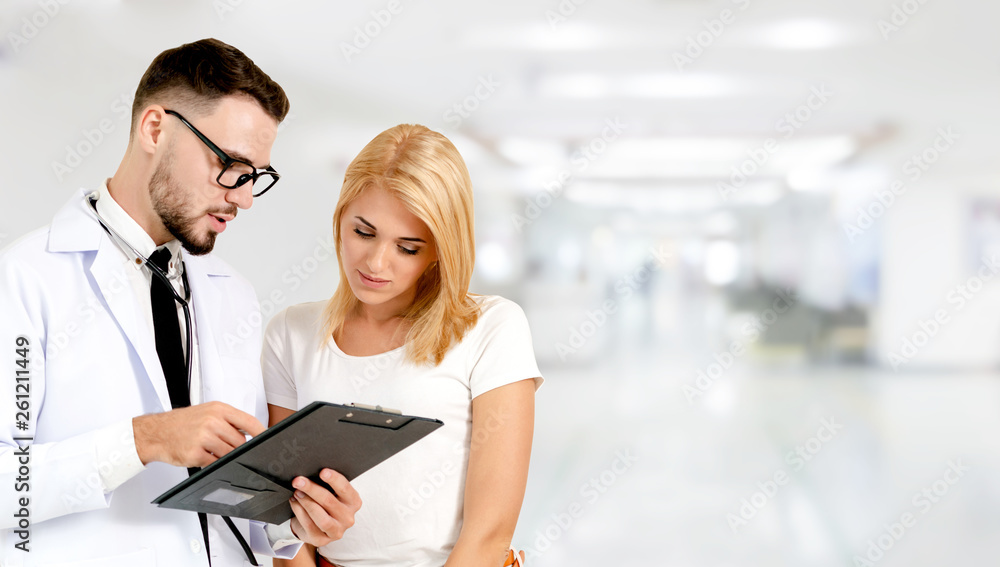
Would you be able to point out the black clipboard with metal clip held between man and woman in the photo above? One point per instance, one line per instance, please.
(254, 480)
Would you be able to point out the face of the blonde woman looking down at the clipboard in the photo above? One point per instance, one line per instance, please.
(385, 250)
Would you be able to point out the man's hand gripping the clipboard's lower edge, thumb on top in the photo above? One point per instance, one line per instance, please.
(322, 515)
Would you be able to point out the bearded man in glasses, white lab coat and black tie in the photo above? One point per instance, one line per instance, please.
(115, 327)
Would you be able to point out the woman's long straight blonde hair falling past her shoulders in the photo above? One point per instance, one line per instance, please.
(424, 170)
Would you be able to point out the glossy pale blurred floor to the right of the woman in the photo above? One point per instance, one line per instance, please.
(797, 467)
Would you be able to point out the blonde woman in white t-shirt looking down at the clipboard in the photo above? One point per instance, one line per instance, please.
(403, 331)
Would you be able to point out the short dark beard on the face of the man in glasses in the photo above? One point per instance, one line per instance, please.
(169, 203)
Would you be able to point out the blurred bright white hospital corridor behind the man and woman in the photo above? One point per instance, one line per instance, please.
(755, 241)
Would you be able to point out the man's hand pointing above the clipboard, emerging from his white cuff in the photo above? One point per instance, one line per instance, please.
(195, 436)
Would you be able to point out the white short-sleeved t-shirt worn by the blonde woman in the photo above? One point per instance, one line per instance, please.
(411, 511)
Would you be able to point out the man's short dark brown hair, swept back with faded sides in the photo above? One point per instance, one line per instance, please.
(196, 75)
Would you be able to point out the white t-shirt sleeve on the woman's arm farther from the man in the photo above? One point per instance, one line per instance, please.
(501, 352)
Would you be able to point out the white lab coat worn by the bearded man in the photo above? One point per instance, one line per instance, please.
(93, 363)
